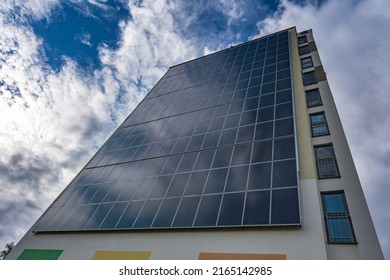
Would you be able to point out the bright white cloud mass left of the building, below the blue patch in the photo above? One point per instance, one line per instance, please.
(52, 119)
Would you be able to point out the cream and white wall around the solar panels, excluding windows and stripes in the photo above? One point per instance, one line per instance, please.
(306, 242)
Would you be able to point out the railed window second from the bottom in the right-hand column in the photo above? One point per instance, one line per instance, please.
(326, 162)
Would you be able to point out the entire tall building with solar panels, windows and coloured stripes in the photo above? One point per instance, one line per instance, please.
(236, 155)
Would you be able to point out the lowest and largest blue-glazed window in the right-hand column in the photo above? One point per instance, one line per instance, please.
(337, 219)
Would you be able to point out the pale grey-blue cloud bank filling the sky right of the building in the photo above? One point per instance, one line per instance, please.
(353, 38)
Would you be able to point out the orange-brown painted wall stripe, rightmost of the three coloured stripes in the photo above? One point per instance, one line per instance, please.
(235, 256)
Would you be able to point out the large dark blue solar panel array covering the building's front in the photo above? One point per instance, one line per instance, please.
(212, 145)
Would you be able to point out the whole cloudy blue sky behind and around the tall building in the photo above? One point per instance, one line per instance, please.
(72, 70)
